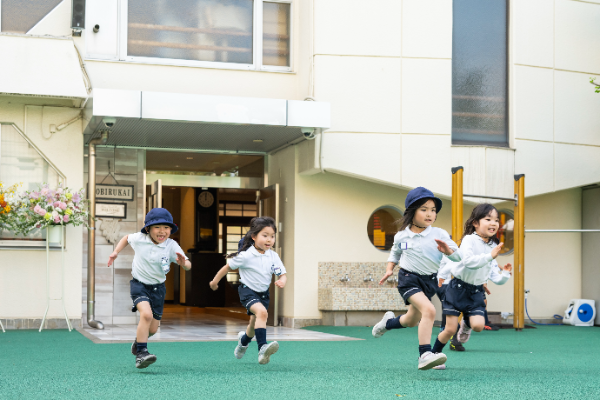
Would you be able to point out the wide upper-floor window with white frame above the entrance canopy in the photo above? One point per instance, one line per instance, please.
(245, 34)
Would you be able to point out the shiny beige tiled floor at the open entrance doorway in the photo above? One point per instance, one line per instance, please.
(201, 327)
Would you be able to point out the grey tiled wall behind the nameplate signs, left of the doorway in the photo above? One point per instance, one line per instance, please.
(113, 304)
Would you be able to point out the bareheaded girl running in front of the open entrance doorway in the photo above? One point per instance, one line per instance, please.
(257, 264)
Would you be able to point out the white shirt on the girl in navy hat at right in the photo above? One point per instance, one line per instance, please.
(418, 252)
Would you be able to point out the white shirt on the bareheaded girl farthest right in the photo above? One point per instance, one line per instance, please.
(476, 265)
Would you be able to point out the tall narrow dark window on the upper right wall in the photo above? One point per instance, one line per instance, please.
(479, 73)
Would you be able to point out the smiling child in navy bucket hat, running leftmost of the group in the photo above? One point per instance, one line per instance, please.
(154, 253)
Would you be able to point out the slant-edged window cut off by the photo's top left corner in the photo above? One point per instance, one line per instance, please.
(18, 16)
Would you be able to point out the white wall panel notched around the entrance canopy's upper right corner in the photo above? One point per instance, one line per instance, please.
(364, 92)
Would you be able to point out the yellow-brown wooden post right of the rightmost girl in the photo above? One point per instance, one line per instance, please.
(519, 254)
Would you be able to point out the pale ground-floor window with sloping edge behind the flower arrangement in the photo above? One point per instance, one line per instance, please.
(20, 161)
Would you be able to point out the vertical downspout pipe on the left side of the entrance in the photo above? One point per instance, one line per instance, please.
(91, 301)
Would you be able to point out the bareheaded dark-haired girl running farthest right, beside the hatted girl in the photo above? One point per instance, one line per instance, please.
(466, 293)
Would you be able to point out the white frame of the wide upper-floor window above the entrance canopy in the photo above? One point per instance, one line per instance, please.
(257, 44)
